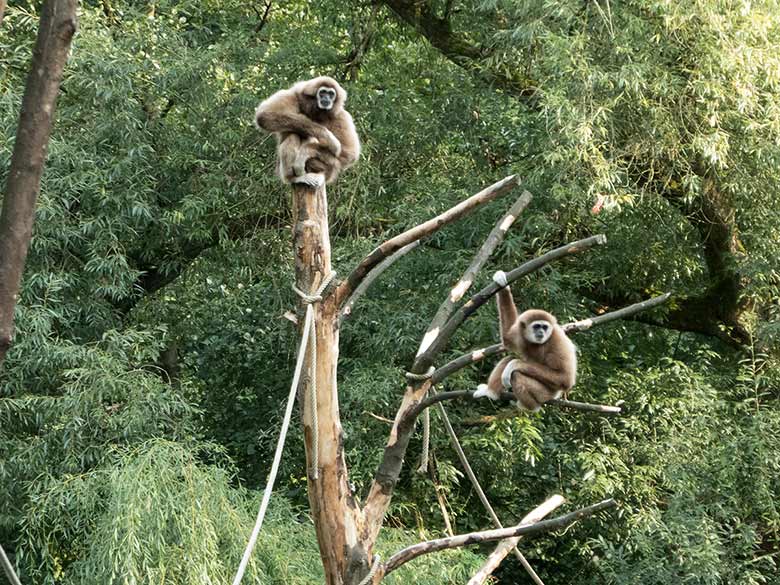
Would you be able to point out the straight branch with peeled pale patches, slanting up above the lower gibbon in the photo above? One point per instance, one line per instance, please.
(495, 237)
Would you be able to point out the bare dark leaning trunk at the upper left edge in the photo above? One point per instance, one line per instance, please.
(56, 29)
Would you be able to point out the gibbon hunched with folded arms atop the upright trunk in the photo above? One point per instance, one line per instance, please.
(316, 137)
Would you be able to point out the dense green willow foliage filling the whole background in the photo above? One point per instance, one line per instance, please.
(161, 232)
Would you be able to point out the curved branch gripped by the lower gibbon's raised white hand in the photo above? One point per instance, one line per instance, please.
(438, 339)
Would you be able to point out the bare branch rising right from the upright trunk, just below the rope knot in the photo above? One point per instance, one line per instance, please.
(453, 214)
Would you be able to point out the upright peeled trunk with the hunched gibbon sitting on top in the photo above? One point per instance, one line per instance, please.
(336, 514)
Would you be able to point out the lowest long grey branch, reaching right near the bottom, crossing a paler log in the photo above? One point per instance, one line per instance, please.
(423, 548)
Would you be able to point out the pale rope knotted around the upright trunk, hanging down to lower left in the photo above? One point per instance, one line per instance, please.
(308, 333)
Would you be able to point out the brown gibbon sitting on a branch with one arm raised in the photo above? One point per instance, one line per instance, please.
(543, 364)
